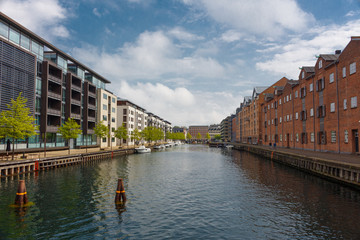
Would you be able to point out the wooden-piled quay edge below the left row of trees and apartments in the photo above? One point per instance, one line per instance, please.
(11, 168)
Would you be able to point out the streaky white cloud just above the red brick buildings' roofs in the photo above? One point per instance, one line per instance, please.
(299, 52)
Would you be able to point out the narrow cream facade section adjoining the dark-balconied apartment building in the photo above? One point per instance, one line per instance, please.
(107, 112)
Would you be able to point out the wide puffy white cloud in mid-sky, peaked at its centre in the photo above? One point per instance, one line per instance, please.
(153, 56)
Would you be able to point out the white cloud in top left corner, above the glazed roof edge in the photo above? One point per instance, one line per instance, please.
(44, 17)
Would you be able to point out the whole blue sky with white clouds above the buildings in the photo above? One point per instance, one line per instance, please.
(191, 61)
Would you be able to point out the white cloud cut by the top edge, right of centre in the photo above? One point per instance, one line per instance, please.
(262, 17)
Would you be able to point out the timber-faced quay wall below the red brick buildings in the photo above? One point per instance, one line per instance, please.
(338, 171)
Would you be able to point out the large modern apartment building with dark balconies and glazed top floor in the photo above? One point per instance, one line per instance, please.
(56, 85)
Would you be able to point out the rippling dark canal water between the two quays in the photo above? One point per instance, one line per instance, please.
(187, 192)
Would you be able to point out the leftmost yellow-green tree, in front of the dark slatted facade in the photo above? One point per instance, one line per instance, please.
(17, 123)
